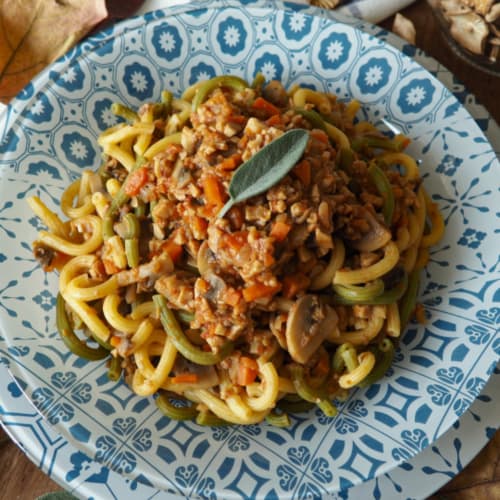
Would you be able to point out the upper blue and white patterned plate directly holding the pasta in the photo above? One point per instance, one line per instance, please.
(49, 136)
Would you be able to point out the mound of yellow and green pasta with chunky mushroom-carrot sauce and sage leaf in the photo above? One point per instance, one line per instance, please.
(244, 252)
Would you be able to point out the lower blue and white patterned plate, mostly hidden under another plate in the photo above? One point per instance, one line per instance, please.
(418, 478)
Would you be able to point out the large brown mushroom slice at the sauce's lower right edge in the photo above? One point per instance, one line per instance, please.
(309, 324)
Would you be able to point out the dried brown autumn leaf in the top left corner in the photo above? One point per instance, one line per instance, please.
(35, 32)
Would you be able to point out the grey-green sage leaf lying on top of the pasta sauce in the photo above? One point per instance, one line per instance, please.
(268, 166)
